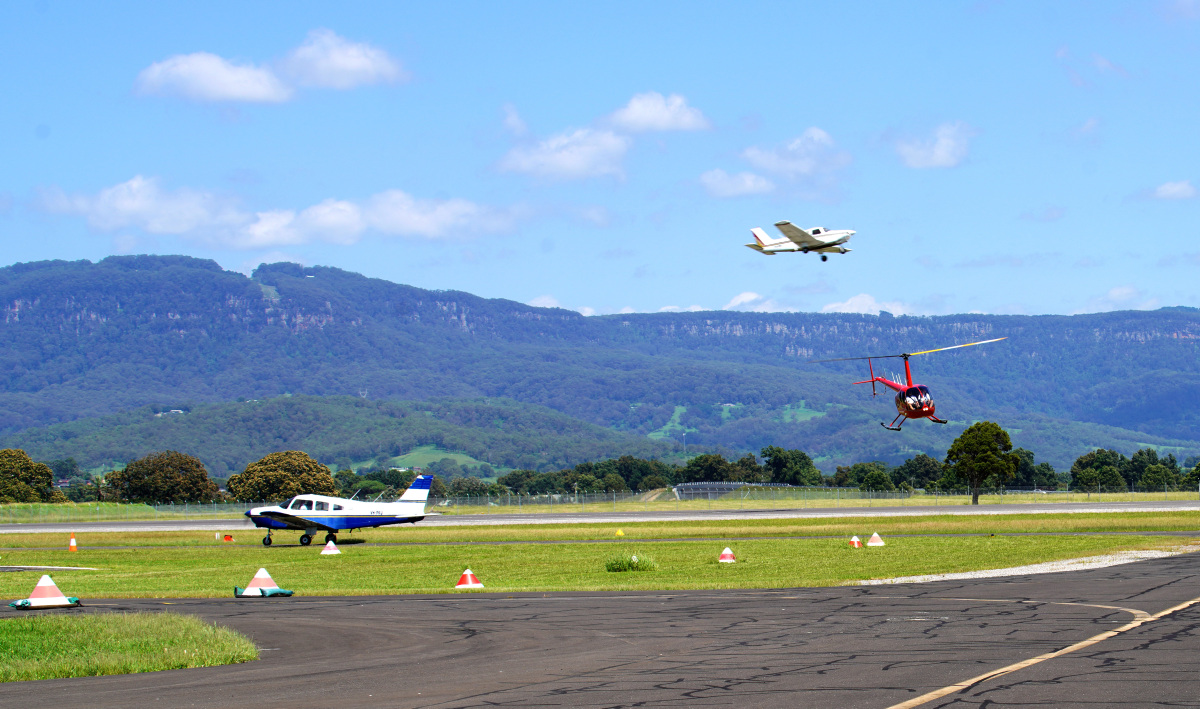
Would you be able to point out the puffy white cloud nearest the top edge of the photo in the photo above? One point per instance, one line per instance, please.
(331, 62)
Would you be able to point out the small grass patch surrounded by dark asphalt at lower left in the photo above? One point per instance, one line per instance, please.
(76, 645)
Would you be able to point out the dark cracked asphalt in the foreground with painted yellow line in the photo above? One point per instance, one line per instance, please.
(1131, 635)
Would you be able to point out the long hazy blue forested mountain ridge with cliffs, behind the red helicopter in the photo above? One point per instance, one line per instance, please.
(83, 340)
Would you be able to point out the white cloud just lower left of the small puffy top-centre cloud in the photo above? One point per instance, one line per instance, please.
(585, 153)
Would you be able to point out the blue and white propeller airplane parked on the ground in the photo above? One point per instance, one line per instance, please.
(319, 513)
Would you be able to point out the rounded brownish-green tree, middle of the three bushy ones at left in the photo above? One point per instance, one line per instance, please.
(166, 477)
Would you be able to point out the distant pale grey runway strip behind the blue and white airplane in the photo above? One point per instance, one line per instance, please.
(601, 516)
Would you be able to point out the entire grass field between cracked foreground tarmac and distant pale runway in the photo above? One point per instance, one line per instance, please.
(568, 558)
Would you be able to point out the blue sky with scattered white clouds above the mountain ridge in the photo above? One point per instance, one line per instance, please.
(994, 158)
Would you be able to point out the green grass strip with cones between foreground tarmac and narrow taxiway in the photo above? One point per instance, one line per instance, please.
(557, 567)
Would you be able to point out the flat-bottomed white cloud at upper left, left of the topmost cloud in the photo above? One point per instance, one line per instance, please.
(208, 77)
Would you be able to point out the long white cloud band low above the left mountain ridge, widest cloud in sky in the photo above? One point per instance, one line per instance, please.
(143, 205)
